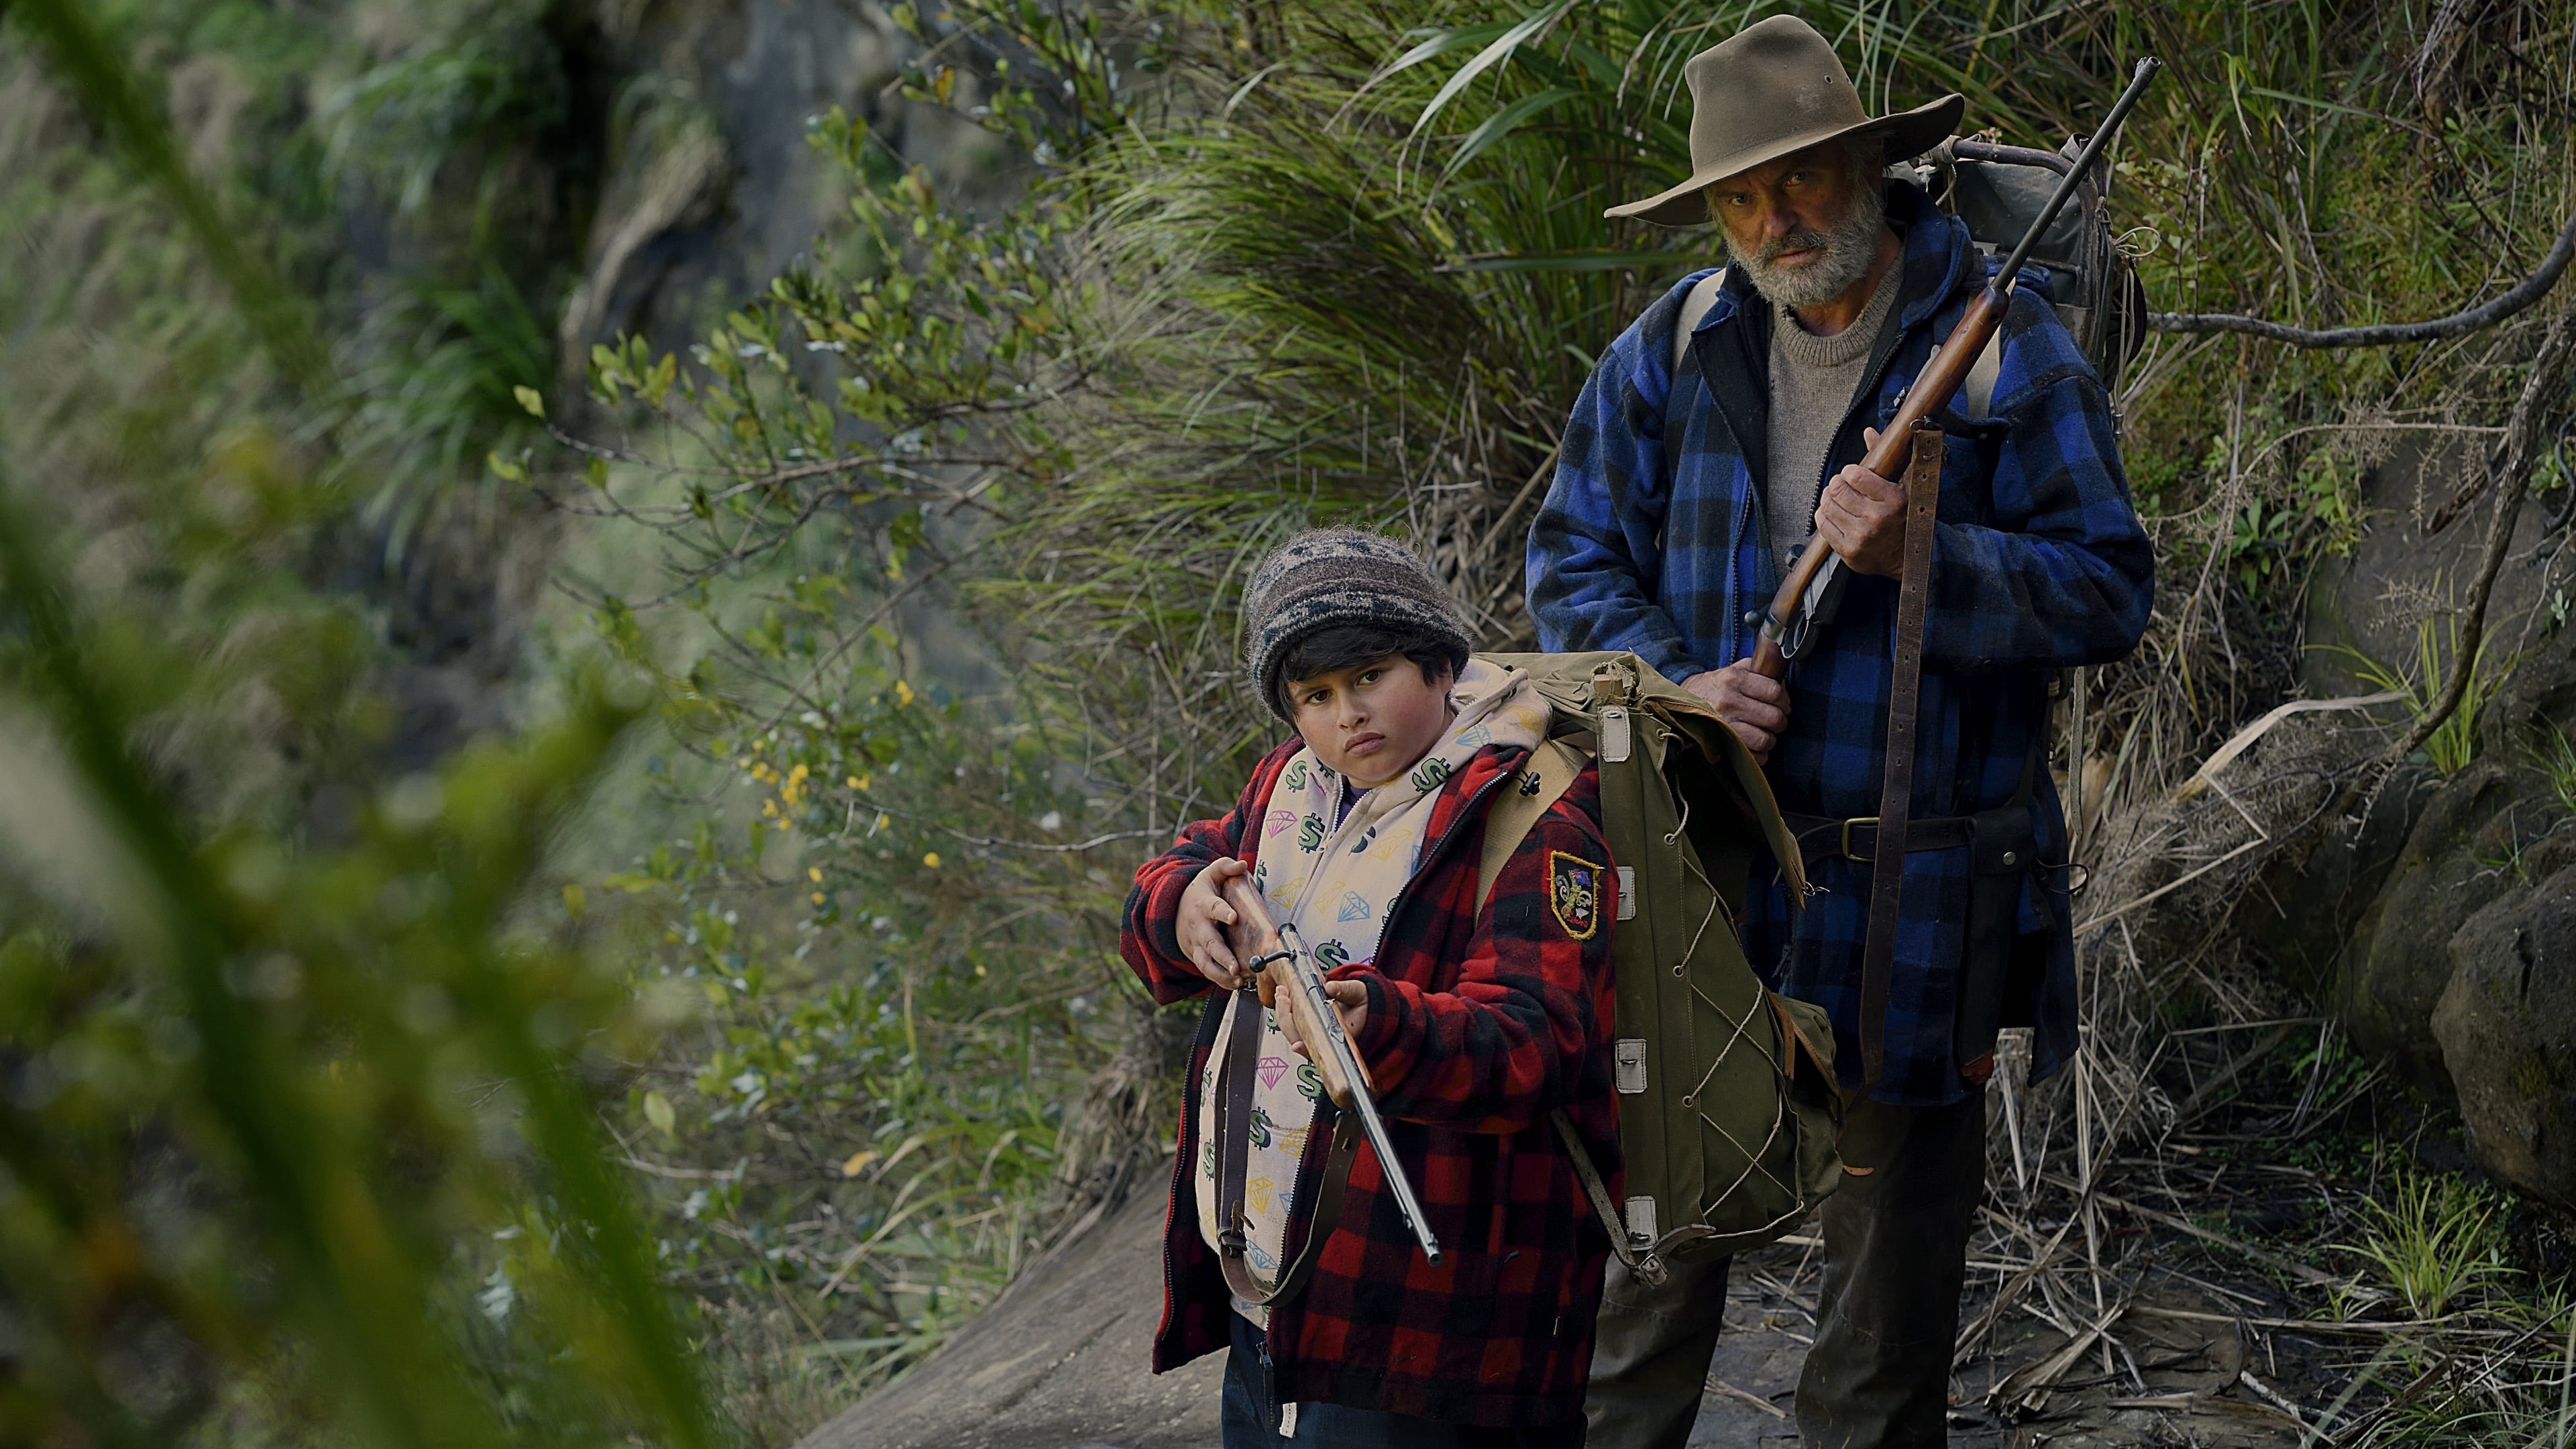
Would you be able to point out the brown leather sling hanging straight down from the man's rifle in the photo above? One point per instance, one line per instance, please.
(1897, 790)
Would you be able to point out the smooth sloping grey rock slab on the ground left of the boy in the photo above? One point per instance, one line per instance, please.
(1060, 1363)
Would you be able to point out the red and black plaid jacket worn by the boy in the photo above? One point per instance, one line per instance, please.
(1480, 1022)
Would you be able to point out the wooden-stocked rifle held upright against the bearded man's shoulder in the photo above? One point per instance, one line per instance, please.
(1810, 581)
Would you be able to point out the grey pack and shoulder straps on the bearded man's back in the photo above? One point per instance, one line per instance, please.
(1998, 192)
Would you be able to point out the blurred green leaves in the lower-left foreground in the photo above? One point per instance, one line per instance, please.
(295, 1022)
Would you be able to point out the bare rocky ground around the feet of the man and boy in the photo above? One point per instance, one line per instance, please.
(1060, 1365)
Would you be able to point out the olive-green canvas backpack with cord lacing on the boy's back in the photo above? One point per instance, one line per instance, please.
(1727, 1089)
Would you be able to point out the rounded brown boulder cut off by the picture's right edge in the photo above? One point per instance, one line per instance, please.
(2508, 1027)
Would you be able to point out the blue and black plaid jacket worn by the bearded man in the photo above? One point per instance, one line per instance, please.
(1653, 540)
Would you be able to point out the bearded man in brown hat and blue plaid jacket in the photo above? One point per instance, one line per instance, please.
(1694, 473)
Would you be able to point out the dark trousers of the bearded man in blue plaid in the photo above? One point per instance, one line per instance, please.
(1887, 1319)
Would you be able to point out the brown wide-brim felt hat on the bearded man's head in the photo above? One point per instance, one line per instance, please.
(1768, 92)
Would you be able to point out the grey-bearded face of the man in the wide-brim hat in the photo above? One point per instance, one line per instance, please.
(1804, 228)
